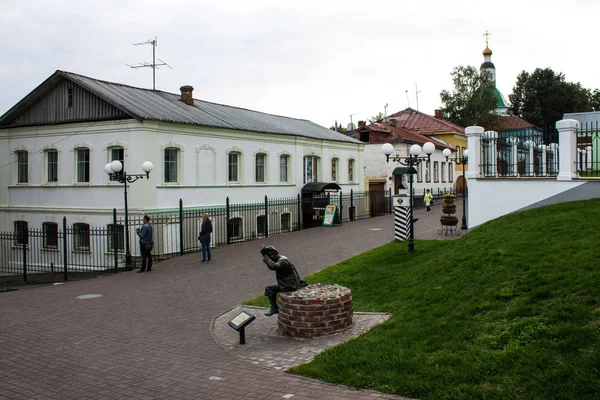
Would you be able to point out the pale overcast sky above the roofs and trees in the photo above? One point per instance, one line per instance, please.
(316, 60)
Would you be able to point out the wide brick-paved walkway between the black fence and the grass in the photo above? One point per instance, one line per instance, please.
(149, 336)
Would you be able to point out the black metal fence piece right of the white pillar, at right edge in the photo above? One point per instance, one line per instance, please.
(588, 150)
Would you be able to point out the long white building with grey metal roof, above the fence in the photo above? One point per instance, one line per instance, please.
(55, 143)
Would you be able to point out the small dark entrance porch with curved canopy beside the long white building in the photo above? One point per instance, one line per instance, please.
(315, 199)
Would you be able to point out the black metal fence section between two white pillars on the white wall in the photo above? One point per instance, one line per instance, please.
(529, 152)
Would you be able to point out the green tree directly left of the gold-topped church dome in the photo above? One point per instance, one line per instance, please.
(472, 100)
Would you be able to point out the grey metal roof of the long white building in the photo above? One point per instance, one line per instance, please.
(155, 105)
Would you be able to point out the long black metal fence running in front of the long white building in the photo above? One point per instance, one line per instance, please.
(57, 253)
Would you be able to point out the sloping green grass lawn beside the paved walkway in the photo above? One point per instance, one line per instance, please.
(509, 311)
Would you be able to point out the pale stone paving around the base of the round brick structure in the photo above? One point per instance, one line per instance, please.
(264, 346)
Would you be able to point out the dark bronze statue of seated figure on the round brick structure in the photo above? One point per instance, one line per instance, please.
(286, 274)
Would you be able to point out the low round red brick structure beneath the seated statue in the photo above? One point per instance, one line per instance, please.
(315, 310)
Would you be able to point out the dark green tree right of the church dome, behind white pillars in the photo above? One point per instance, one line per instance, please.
(544, 96)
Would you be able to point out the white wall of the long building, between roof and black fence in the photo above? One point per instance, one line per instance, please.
(201, 184)
